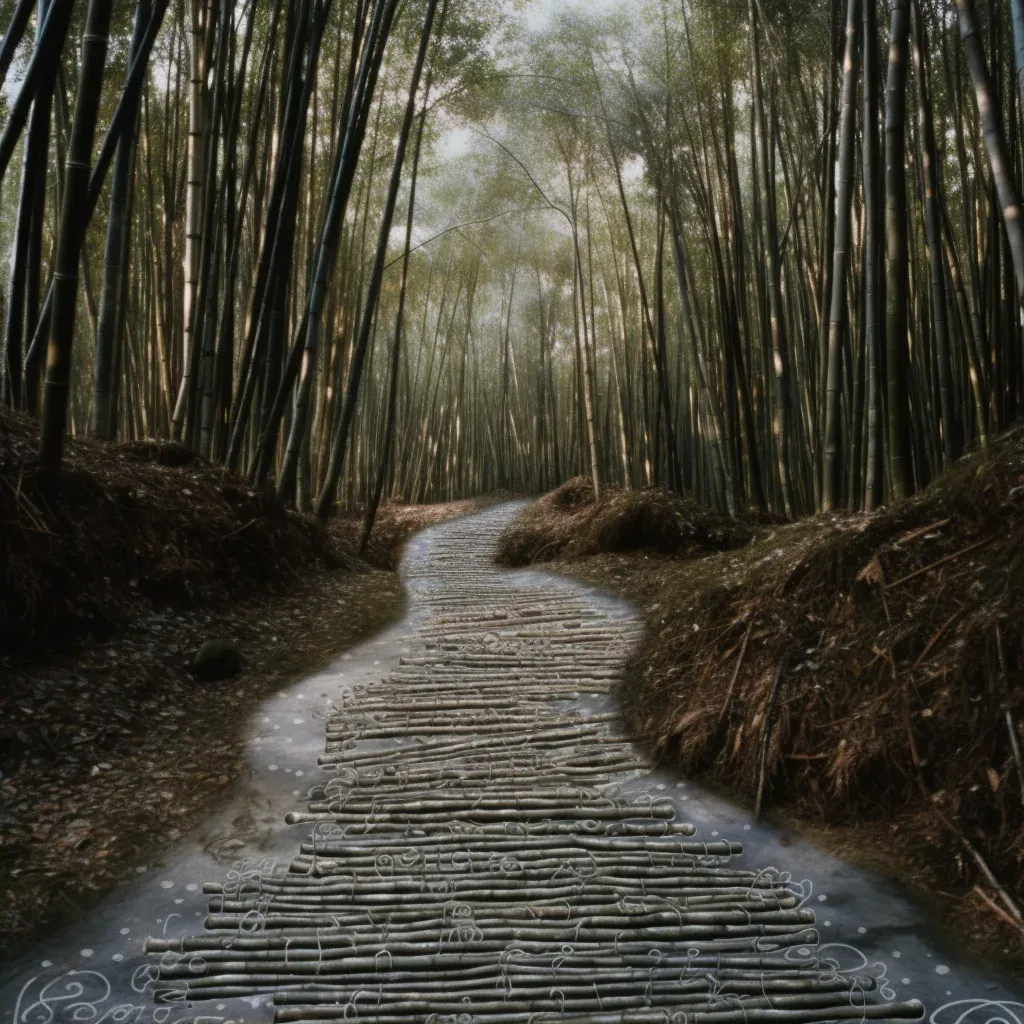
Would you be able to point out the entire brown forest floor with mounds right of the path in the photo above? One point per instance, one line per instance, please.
(861, 676)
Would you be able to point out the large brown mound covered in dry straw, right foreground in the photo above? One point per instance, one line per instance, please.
(859, 664)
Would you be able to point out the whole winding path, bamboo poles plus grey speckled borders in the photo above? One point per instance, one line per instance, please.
(484, 844)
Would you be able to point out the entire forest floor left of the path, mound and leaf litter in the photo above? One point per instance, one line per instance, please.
(110, 746)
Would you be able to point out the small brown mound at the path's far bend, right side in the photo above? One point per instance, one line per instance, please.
(570, 524)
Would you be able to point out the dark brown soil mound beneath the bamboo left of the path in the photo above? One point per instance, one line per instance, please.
(130, 528)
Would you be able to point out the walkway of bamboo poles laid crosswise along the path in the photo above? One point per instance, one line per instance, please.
(472, 855)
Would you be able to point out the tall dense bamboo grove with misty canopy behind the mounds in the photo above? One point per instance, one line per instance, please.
(771, 254)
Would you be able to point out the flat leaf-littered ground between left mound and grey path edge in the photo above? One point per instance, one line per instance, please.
(113, 751)
